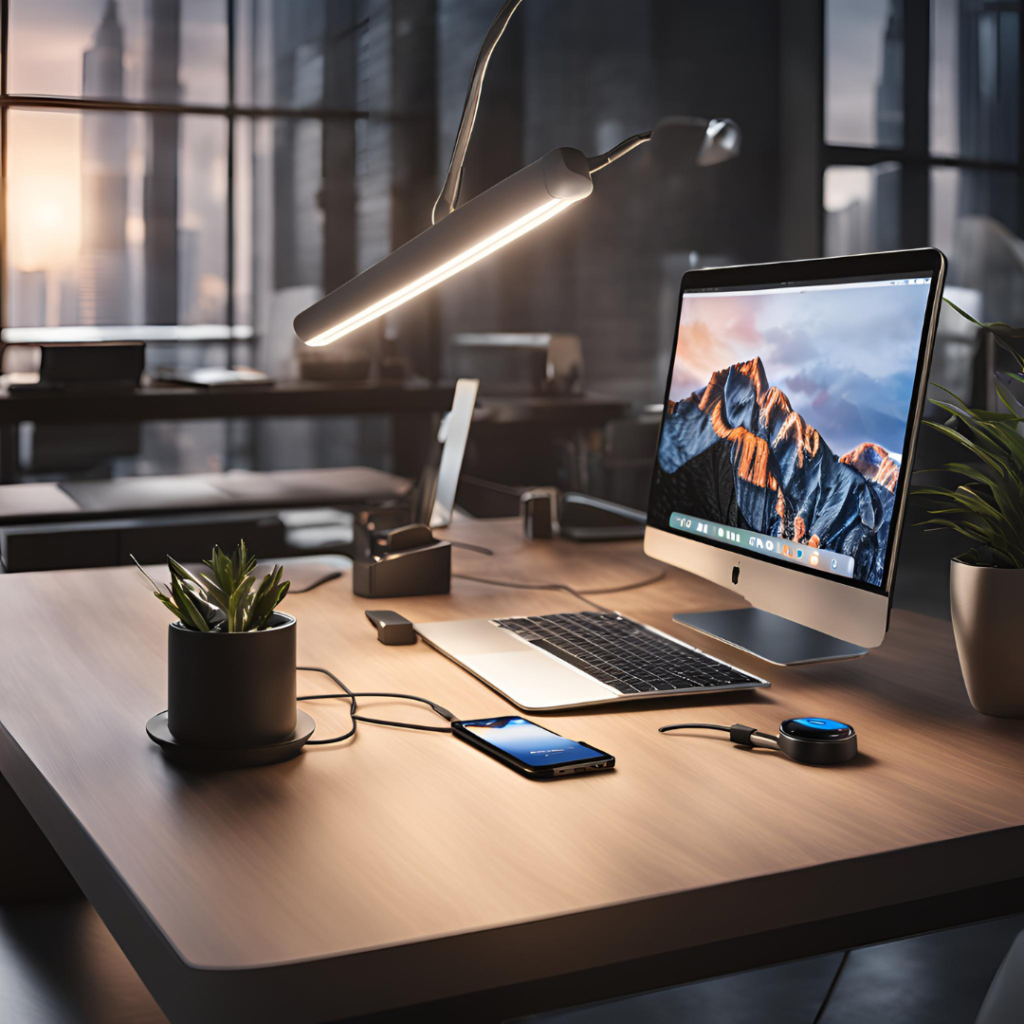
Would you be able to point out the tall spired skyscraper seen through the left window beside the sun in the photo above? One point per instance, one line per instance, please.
(105, 285)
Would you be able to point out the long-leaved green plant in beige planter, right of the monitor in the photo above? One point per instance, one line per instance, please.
(986, 504)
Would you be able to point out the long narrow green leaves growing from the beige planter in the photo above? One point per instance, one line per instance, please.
(988, 506)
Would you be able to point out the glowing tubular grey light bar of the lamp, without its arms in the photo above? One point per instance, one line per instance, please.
(472, 233)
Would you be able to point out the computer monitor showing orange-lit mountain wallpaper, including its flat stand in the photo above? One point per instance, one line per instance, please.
(791, 415)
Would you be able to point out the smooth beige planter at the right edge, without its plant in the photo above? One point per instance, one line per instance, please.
(988, 607)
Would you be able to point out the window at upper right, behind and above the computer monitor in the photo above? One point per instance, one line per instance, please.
(922, 127)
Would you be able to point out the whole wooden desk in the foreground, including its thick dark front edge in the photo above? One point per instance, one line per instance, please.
(407, 868)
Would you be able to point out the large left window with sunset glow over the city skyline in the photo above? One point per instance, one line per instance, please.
(193, 172)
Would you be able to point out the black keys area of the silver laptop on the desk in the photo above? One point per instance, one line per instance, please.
(626, 655)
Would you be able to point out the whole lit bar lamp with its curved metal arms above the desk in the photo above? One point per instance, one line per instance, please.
(461, 236)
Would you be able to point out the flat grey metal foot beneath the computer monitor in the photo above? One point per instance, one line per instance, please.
(771, 637)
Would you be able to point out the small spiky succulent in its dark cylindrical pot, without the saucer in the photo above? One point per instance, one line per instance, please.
(231, 656)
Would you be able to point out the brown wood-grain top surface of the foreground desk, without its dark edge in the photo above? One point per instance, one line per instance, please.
(400, 838)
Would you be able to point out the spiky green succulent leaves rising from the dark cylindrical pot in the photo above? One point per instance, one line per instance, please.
(224, 602)
